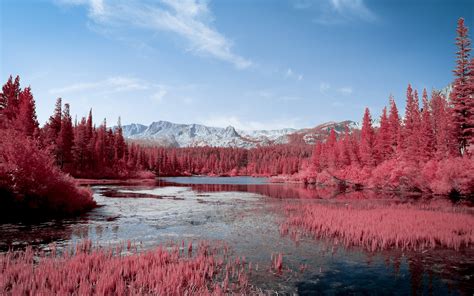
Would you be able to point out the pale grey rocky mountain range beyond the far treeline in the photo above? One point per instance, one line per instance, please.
(166, 133)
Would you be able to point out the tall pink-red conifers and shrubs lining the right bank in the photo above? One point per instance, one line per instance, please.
(429, 152)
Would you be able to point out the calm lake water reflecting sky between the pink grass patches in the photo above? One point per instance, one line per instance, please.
(246, 213)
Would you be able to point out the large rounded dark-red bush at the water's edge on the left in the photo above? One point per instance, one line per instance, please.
(29, 181)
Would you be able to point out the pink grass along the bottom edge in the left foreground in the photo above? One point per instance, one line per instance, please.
(85, 270)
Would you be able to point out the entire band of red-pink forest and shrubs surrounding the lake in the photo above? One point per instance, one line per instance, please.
(429, 149)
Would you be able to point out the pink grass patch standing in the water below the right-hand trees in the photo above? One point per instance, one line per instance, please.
(377, 227)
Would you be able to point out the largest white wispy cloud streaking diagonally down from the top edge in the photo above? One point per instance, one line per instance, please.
(190, 19)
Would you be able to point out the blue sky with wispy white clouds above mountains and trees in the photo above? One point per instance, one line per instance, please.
(252, 64)
